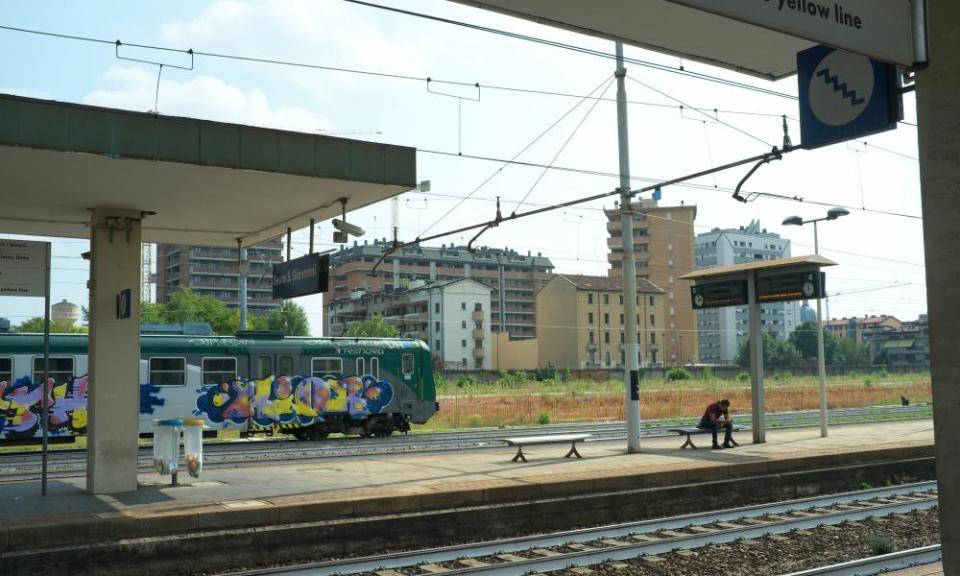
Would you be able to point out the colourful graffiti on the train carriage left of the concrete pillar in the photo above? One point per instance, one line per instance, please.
(21, 407)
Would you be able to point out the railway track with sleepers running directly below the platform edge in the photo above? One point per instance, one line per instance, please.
(619, 542)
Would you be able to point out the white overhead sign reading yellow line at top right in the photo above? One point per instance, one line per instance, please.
(880, 29)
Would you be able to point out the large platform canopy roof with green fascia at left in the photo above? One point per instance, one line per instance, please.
(204, 182)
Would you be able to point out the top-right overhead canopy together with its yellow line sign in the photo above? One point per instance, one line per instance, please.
(695, 29)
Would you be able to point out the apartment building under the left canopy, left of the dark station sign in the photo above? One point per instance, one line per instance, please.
(213, 272)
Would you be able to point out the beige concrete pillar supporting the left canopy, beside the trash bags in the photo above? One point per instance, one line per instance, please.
(114, 357)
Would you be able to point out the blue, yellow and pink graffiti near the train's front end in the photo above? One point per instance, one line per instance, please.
(292, 400)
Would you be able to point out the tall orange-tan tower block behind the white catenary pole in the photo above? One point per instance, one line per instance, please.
(664, 250)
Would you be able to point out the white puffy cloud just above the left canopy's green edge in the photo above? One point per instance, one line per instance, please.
(207, 97)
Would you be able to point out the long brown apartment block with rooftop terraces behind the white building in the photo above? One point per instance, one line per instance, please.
(513, 277)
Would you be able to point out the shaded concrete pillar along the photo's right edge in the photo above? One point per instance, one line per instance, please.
(939, 134)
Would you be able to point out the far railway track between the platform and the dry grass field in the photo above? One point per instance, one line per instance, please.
(71, 463)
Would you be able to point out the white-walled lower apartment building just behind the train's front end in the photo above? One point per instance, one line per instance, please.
(452, 317)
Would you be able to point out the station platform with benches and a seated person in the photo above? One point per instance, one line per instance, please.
(408, 497)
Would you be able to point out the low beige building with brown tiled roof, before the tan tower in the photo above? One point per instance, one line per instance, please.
(583, 323)
